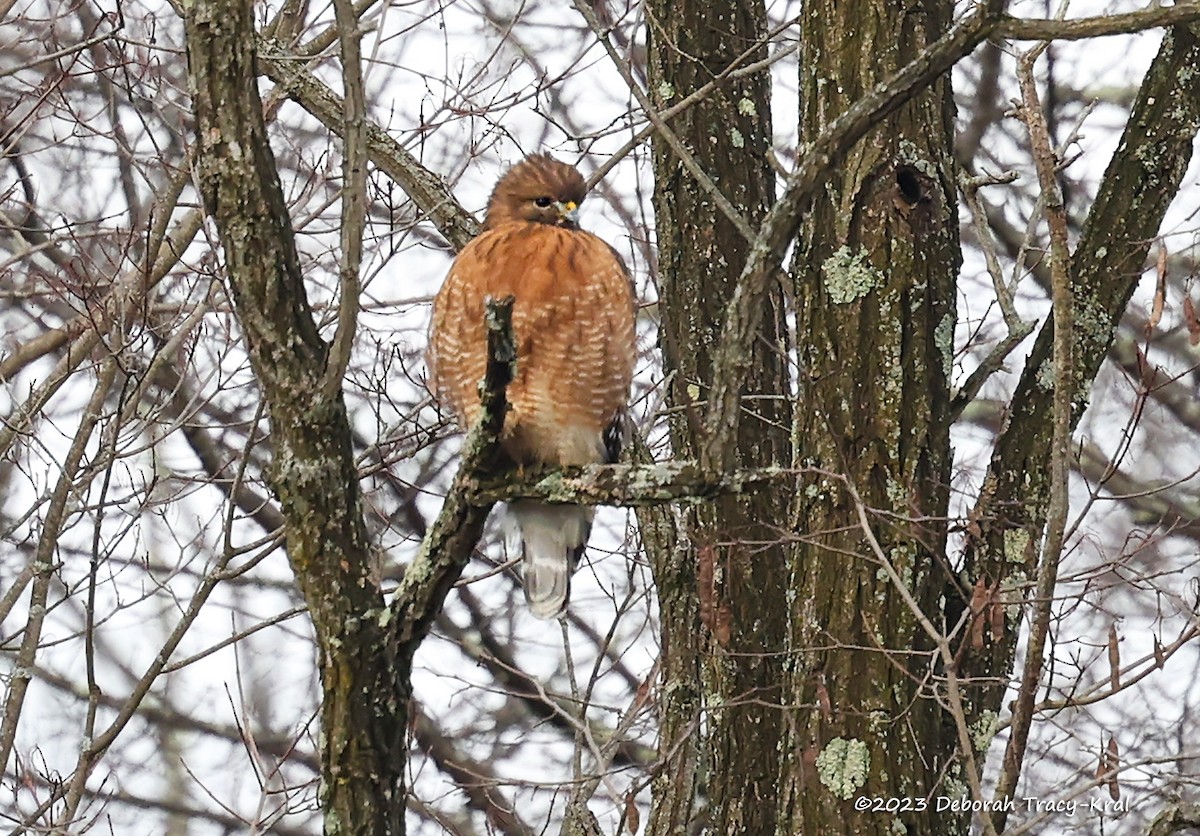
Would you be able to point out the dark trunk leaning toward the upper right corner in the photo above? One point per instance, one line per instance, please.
(1138, 188)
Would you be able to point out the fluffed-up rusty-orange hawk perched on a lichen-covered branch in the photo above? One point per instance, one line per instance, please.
(574, 327)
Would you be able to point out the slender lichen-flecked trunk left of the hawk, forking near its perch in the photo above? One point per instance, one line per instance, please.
(365, 699)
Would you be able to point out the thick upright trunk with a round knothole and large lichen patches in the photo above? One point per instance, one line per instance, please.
(875, 293)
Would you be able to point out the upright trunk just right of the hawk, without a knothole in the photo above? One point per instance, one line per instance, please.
(719, 575)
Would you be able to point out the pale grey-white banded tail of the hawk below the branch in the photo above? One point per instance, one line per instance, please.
(551, 540)
